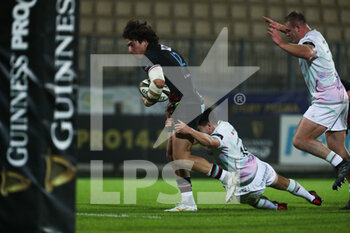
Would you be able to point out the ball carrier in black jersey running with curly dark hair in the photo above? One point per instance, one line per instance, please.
(141, 39)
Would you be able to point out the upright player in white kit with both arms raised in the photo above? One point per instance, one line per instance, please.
(329, 109)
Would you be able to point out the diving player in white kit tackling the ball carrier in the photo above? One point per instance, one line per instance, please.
(254, 175)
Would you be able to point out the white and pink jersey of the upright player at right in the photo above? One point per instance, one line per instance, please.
(320, 74)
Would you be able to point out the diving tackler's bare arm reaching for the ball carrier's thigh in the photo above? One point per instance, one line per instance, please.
(202, 138)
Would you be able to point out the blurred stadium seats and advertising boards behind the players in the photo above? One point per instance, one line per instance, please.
(276, 96)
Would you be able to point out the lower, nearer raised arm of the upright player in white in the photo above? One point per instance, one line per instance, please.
(305, 51)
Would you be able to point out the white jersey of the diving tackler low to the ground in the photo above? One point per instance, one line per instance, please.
(232, 153)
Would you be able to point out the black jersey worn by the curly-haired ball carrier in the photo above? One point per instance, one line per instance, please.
(165, 56)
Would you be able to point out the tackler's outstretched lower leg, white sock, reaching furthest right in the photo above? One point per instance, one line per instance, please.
(290, 185)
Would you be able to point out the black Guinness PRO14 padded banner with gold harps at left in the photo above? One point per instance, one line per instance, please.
(38, 71)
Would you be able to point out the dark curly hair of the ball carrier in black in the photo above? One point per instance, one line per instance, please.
(134, 30)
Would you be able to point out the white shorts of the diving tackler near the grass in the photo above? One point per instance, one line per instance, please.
(265, 176)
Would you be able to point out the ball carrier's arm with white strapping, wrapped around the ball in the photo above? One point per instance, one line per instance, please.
(157, 81)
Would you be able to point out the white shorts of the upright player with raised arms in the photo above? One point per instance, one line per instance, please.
(332, 116)
